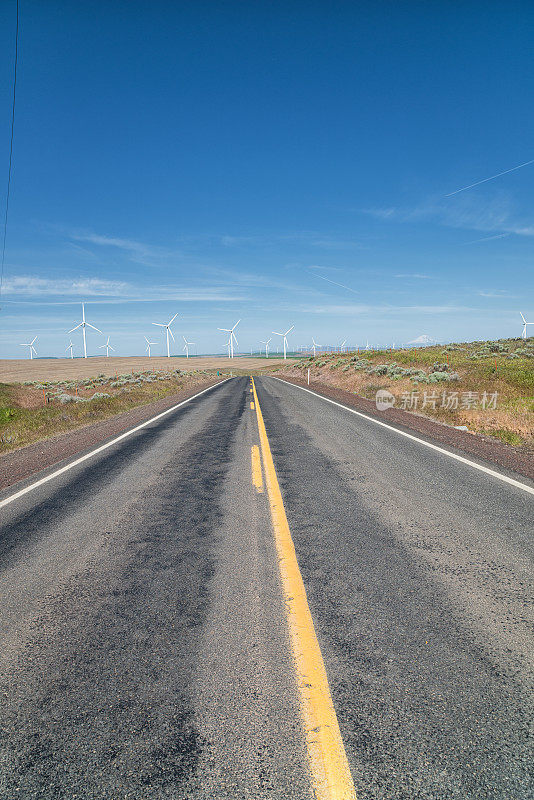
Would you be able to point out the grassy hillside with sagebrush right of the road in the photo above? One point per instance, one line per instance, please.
(486, 386)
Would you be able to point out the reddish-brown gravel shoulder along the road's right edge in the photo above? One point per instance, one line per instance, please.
(520, 460)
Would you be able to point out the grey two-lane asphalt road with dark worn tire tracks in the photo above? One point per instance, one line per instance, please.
(145, 651)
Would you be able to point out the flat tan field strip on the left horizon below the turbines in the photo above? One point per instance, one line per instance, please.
(58, 369)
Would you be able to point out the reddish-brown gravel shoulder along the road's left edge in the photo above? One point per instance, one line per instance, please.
(21, 464)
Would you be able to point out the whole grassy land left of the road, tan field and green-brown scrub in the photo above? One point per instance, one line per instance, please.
(40, 398)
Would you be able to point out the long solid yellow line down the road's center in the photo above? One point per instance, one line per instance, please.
(328, 761)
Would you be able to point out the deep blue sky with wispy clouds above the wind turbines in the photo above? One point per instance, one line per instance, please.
(282, 163)
